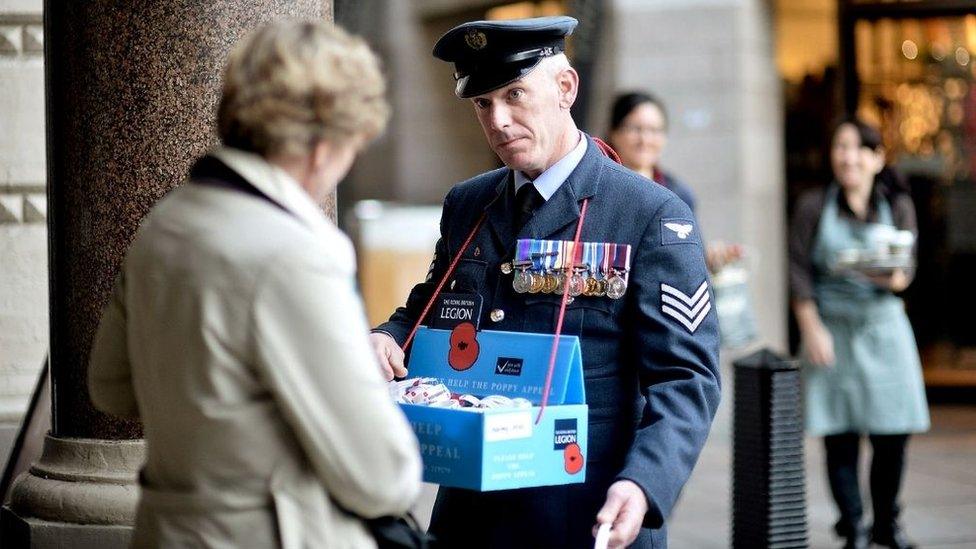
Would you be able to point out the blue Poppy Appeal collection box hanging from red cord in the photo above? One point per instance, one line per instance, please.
(502, 449)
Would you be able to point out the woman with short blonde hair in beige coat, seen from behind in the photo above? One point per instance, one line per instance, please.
(235, 332)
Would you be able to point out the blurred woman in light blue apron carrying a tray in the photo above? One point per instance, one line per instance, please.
(862, 372)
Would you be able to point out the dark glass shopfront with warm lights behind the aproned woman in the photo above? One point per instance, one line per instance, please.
(911, 71)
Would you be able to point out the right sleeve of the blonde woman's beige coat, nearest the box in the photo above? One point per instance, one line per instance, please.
(312, 349)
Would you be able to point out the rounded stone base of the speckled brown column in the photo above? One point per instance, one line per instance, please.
(81, 493)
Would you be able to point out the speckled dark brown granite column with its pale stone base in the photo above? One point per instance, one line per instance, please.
(131, 93)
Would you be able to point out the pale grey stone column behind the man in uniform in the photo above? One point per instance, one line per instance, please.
(712, 63)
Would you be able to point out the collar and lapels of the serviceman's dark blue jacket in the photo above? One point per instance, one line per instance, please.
(561, 209)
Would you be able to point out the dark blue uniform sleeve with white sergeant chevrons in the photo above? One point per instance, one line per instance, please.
(676, 339)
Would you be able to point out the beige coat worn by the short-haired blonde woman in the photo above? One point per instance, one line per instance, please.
(236, 334)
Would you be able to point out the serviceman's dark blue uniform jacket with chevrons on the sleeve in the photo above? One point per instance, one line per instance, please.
(652, 383)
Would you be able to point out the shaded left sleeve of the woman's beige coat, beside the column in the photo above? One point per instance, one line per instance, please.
(109, 371)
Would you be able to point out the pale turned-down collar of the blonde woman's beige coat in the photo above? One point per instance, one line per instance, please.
(274, 182)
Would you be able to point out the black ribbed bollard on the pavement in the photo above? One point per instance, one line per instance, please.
(768, 482)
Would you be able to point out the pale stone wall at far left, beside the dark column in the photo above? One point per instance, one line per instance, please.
(23, 211)
